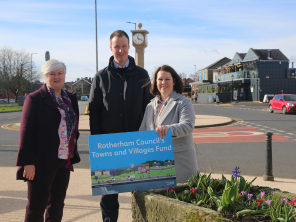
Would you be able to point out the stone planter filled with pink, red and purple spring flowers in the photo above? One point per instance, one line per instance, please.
(207, 199)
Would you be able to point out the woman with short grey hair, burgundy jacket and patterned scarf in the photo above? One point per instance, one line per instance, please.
(48, 144)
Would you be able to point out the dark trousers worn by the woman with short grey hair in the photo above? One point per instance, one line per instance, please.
(48, 193)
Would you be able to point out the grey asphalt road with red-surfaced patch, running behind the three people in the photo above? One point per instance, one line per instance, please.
(219, 149)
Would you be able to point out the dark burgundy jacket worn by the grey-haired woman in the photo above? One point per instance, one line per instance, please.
(39, 140)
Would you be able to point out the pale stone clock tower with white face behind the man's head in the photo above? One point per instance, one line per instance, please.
(140, 42)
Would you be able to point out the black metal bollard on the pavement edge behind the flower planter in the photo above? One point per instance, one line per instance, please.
(268, 158)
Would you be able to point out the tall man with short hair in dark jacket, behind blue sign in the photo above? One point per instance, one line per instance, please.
(117, 102)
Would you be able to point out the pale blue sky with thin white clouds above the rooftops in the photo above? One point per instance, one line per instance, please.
(188, 35)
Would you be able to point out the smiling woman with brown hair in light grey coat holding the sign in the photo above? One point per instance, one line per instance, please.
(171, 110)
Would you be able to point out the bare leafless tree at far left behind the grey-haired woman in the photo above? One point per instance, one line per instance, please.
(15, 71)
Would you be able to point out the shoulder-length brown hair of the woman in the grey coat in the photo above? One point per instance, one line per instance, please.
(178, 87)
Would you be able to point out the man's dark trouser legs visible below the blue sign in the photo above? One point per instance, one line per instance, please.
(109, 207)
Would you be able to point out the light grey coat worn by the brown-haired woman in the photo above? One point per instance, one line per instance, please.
(180, 117)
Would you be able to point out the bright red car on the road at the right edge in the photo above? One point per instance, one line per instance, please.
(283, 102)
